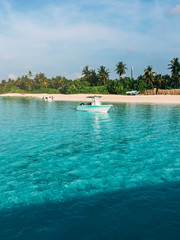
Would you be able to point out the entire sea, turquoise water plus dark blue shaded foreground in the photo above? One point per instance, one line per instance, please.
(75, 175)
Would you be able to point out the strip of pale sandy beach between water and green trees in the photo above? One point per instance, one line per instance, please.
(163, 99)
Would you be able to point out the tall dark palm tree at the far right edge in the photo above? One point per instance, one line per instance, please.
(174, 66)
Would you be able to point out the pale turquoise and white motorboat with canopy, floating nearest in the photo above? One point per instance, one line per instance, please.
(94, 106)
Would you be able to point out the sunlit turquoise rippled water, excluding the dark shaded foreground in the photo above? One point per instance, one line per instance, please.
(50, 152)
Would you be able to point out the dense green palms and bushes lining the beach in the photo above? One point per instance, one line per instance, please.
(92, 82)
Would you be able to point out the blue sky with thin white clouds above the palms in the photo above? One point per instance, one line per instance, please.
(59, 37)
